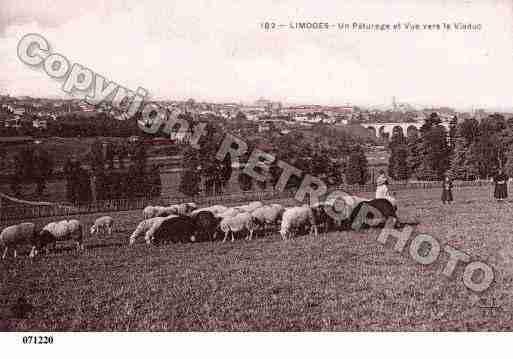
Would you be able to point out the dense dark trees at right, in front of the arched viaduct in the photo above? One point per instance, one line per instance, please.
(469, 150)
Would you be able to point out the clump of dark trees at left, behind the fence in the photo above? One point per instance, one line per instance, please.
(113, 171)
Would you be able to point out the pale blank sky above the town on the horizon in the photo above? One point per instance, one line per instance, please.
(216, 50)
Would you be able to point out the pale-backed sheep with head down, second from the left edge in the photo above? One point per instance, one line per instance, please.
(54, 232)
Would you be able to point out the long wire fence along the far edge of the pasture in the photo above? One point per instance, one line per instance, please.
(15, 209)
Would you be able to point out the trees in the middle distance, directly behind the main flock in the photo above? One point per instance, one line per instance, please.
(334, 158)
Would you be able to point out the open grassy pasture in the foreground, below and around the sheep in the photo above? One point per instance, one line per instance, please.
(342, 281)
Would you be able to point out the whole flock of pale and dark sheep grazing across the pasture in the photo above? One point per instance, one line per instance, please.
(185, 222)
